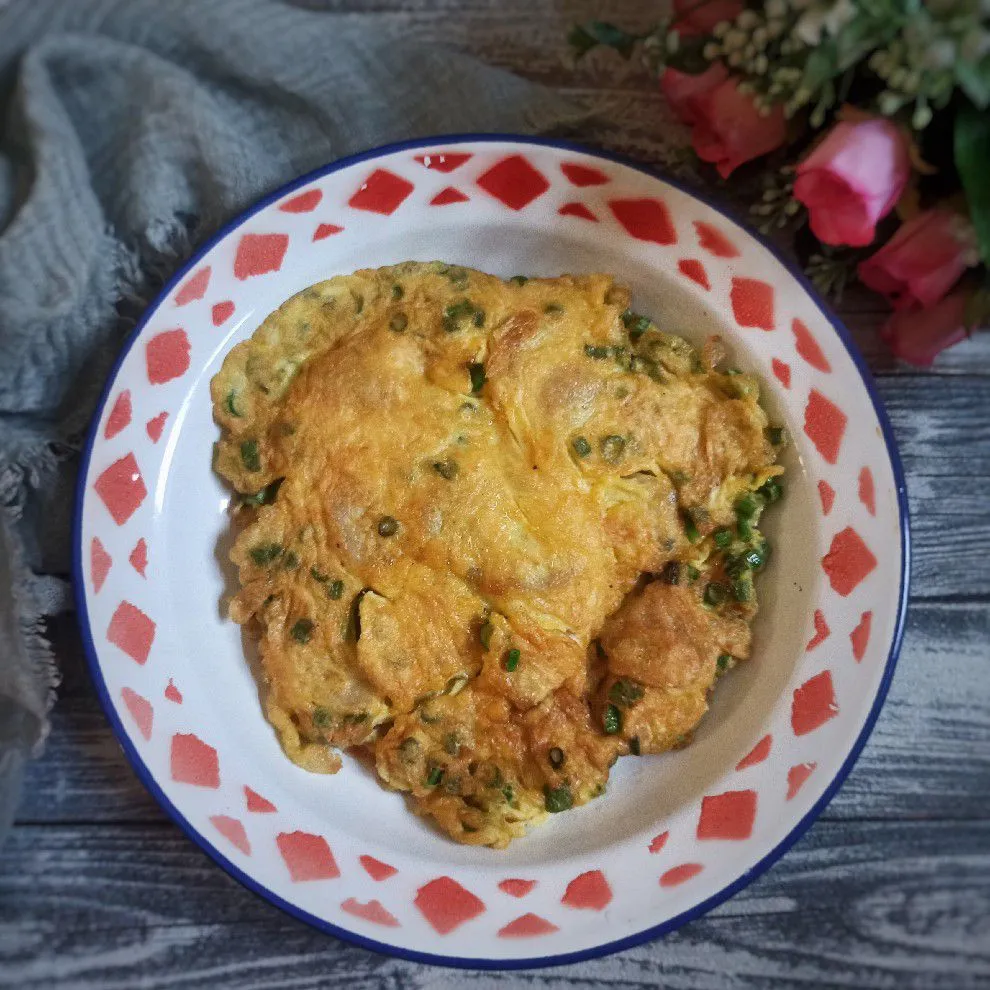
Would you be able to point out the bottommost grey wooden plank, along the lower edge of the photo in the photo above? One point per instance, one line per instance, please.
(853, 905)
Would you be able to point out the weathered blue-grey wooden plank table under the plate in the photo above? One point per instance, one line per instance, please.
(891, 887)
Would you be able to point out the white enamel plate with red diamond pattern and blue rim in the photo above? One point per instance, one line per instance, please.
(675, 834)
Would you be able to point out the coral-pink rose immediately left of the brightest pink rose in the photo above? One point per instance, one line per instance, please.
(729, 130)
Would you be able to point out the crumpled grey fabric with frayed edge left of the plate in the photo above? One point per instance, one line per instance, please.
(130, 130)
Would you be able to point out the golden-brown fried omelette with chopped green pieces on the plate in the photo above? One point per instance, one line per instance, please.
(491, 534)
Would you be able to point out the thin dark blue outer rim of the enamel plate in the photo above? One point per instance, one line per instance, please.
(147, 778)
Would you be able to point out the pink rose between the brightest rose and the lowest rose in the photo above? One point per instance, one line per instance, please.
(923, 260)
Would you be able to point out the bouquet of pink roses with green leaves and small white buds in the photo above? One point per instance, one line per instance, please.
(874, 117)
